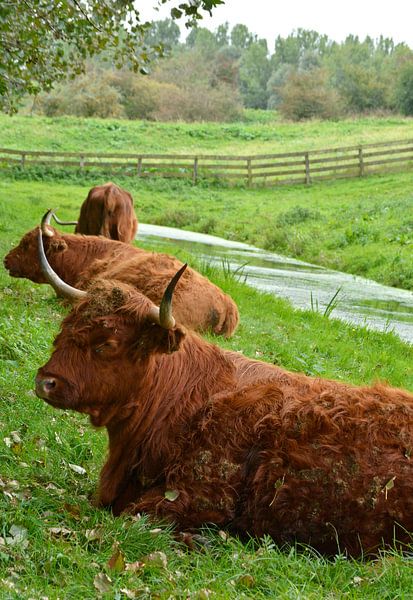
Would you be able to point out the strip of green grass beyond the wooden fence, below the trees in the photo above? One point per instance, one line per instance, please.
(260, 132)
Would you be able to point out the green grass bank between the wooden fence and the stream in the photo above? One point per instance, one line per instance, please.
(361, 226)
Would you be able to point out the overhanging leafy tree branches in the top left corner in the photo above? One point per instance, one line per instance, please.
(43, 41)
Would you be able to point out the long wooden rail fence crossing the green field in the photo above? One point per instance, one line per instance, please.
(258, 170)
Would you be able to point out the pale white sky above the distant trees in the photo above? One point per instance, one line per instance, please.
(270, 18)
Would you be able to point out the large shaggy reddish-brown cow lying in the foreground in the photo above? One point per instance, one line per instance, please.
(198, 435)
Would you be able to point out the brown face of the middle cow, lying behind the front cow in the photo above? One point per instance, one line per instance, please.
(22, 261)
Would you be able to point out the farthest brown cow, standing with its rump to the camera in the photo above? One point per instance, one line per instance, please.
(108, 211)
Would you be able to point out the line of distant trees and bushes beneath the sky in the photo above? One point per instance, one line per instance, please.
(215, 75)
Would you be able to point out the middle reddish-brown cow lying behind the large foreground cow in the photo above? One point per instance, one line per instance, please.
(78, 259)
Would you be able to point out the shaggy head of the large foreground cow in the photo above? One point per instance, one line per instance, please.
(107, 348)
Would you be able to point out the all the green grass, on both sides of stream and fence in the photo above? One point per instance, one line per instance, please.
(53, 543)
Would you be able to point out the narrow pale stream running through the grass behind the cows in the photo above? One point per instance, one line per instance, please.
(355, 299)
